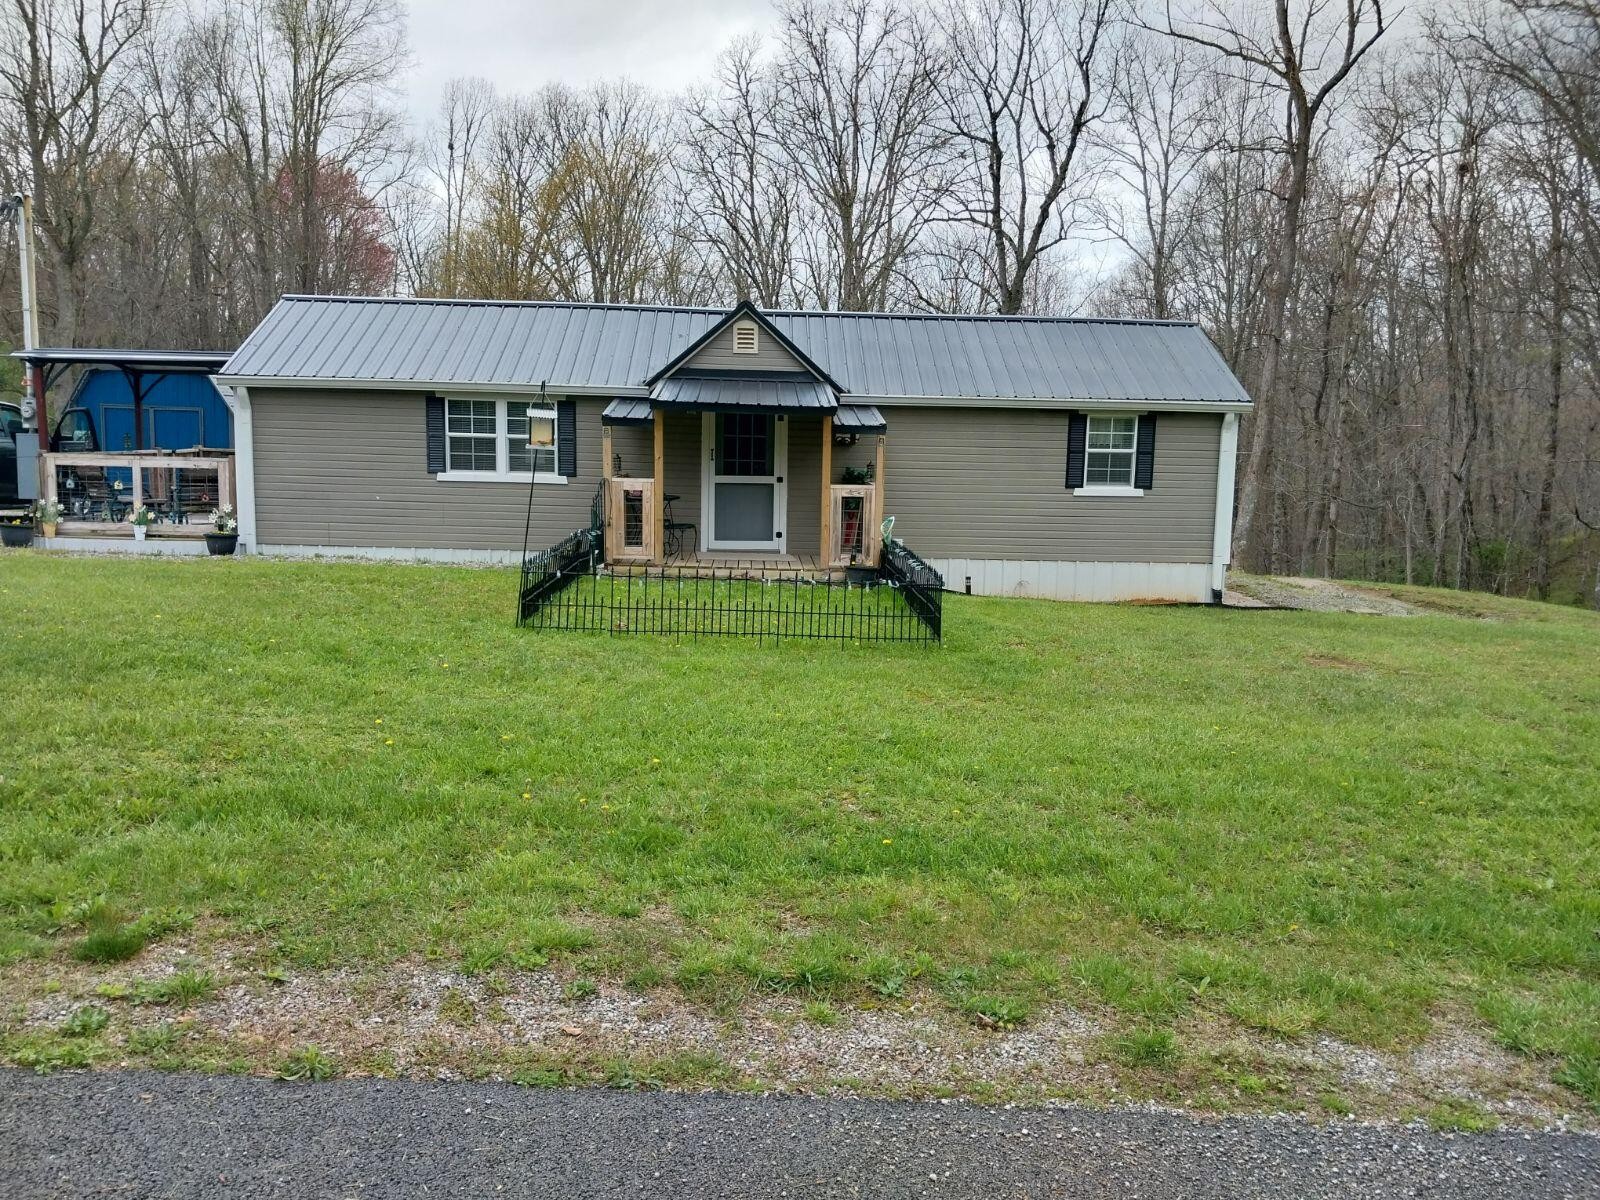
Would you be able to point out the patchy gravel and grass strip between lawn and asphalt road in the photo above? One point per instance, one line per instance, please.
(551, 1028)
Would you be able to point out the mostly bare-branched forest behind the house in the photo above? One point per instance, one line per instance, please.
(1390, 223)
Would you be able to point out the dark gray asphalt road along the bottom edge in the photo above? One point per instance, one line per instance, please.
(145, 1135)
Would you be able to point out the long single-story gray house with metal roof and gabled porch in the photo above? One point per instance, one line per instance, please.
(1073, 458)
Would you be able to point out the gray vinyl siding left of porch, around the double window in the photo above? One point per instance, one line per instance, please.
(350, 468)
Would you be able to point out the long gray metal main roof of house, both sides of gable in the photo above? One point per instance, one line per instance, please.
(615, 350)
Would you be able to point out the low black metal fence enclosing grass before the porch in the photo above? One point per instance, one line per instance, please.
(566, 588)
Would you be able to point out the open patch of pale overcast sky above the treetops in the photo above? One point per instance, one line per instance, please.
(521, 47)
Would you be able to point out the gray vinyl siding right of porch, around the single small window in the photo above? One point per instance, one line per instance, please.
(991, 484)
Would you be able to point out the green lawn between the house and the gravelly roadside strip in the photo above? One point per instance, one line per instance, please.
(1295, 822)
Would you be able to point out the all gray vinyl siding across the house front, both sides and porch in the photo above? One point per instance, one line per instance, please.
(350, 468)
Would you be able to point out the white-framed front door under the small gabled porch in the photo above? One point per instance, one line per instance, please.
(745, 497)
